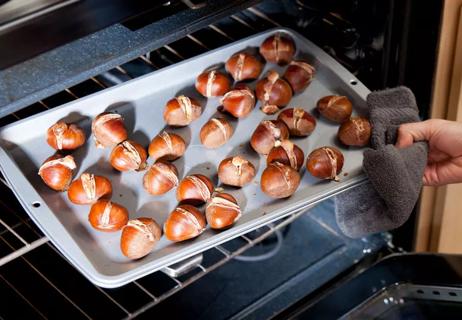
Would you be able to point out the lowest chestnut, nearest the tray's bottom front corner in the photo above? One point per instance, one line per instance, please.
(139, 237)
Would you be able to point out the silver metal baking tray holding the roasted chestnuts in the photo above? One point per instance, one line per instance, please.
(141, 101)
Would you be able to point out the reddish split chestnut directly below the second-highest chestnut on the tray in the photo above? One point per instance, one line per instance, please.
(239, 102)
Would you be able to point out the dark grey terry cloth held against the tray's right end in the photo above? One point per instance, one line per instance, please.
(386, 201)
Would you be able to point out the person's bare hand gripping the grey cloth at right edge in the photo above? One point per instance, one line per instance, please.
(445, 148)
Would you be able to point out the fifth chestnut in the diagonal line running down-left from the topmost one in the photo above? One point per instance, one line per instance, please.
(166, 146)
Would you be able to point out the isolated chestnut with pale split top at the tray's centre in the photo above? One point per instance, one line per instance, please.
(236, 171)
